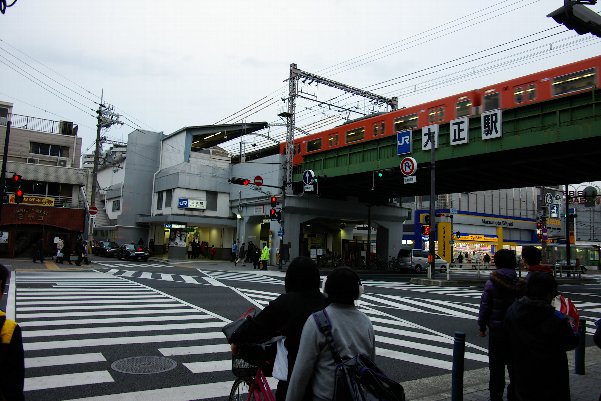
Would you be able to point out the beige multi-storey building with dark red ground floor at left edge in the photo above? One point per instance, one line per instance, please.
(46, 154)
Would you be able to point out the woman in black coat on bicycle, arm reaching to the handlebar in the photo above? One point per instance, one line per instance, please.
(286, 315)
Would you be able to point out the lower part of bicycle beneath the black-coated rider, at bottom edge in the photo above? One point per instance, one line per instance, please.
(250, 384)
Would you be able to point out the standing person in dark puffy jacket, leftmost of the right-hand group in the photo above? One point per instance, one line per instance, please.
(500, 290)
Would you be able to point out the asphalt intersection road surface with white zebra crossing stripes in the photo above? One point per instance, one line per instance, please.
(80, 326)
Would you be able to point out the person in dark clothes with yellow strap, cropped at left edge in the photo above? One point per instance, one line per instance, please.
(12, 361)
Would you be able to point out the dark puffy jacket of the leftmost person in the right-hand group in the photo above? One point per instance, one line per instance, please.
(500, 290)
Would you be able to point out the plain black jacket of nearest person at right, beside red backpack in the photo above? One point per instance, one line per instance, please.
(539, 338)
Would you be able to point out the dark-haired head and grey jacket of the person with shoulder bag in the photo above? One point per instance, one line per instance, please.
(352, 331)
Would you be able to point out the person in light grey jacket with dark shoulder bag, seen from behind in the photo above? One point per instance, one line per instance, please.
(337, 347)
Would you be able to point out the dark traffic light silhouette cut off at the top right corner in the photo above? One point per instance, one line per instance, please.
(573, 15)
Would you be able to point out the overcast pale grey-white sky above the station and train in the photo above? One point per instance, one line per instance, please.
(170, 64)
